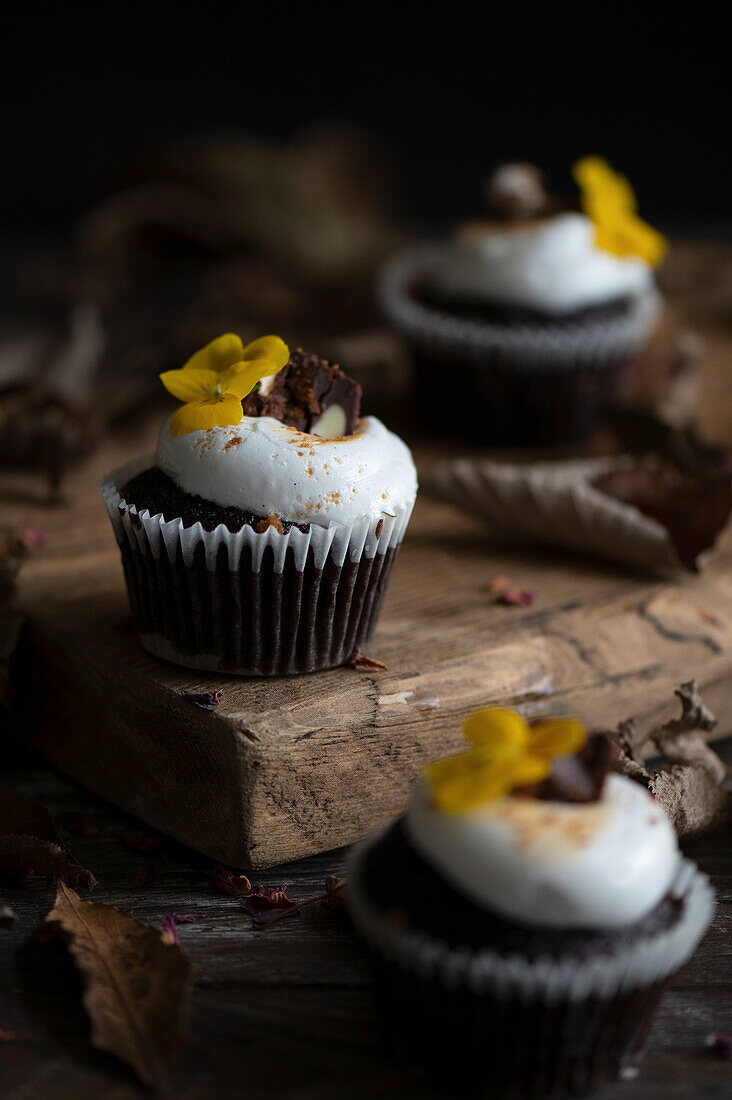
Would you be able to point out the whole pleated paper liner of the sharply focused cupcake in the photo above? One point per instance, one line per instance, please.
(250, 603)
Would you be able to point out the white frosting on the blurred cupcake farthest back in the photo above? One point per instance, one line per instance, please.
(552, 266)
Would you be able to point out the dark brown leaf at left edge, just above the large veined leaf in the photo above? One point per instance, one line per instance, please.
(30, 846)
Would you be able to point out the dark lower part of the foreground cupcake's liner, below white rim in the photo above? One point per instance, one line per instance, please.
(475, 1046)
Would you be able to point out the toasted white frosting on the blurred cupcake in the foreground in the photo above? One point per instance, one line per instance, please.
(593, 865)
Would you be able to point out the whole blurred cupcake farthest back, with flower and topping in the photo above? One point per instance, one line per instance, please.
(534, 312)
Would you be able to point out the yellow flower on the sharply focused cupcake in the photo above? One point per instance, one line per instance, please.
(216, 380)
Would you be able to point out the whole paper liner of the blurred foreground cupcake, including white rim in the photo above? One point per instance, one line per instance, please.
(480, 1021)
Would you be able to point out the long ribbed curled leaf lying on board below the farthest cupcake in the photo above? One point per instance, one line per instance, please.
(651, 516)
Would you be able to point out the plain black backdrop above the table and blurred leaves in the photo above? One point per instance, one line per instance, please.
(450, 92)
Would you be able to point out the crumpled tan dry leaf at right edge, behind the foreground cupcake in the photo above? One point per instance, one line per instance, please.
(695, 788)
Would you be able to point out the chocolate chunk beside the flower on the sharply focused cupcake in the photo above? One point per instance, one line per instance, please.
(312, 395)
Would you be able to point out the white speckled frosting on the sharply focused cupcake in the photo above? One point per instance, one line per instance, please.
(264, 467)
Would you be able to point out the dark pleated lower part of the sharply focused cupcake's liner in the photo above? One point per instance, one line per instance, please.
(255, 623)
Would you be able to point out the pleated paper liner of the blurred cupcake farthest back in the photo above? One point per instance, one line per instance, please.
(532, 384)
